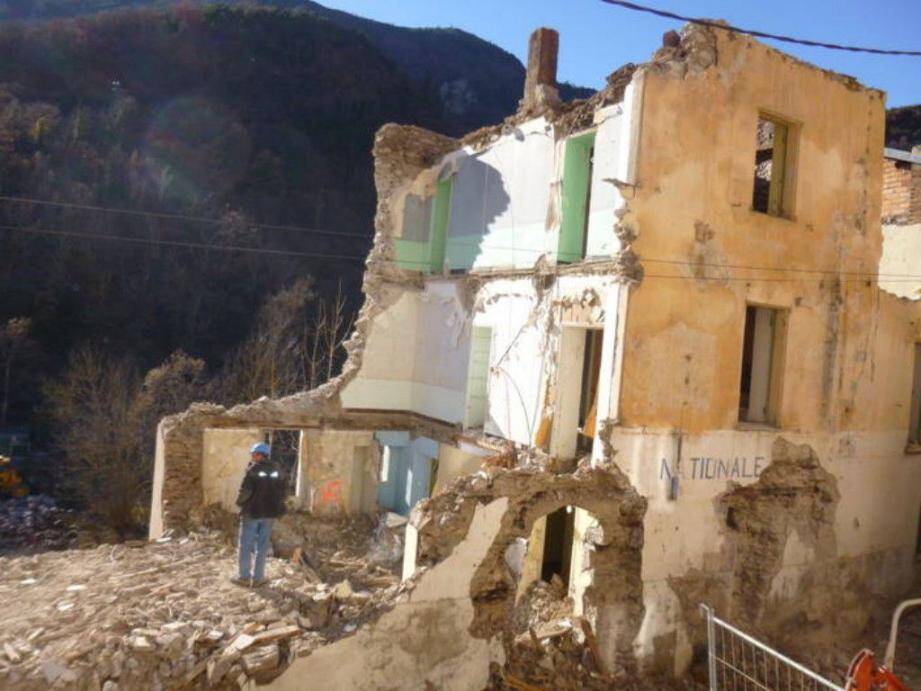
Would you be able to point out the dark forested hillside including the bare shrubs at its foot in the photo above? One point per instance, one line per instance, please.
(186, 201)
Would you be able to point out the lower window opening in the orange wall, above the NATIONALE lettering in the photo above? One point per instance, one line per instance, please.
(762, 349)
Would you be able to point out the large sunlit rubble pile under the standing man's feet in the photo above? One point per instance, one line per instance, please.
(166, 615)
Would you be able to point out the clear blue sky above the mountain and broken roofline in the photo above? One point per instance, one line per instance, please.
(596, 38)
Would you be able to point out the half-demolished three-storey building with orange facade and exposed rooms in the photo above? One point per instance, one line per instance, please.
(642, 344)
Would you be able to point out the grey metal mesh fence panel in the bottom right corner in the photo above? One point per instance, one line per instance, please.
(738, 662)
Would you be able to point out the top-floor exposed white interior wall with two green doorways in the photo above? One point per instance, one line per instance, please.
(508, 202)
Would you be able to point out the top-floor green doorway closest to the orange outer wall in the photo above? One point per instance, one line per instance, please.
(576, 184)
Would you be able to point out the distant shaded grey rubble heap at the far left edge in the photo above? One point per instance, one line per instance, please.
(35, 522)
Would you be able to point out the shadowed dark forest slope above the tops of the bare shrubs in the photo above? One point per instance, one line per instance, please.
(253, 117)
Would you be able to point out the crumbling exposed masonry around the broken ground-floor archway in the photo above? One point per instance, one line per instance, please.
(612, 598)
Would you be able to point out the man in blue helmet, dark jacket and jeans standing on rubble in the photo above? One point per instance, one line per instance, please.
(261, 501)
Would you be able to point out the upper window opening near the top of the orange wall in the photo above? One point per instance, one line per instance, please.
(771, 166)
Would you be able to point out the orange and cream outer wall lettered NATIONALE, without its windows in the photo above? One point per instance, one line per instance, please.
(846, 382)
